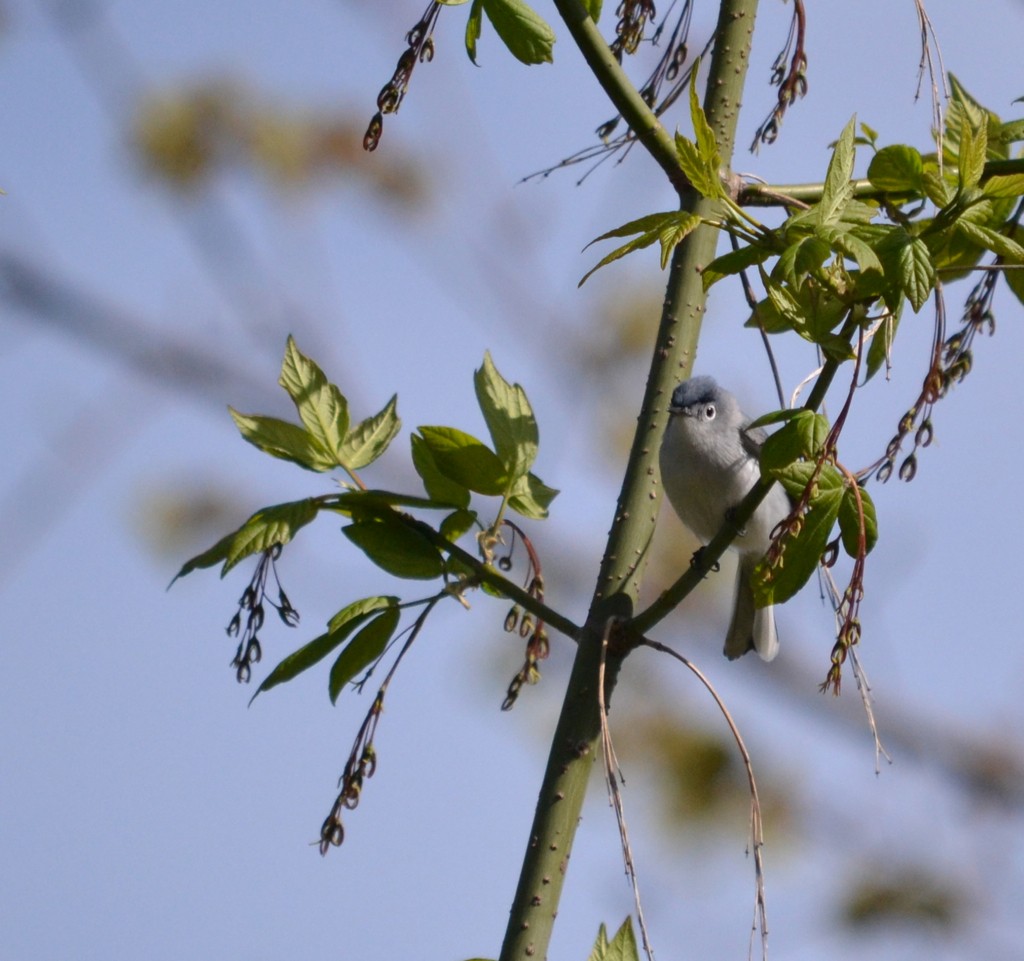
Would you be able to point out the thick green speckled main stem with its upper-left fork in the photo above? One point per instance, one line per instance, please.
(576, 739)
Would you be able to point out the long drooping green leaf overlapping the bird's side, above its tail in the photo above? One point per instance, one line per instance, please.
(803, 552)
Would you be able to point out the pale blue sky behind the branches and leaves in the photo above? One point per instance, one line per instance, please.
(145, 813)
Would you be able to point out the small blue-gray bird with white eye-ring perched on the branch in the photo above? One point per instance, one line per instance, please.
(709, 464)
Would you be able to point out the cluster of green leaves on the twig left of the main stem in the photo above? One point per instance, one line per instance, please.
(452, 465)
